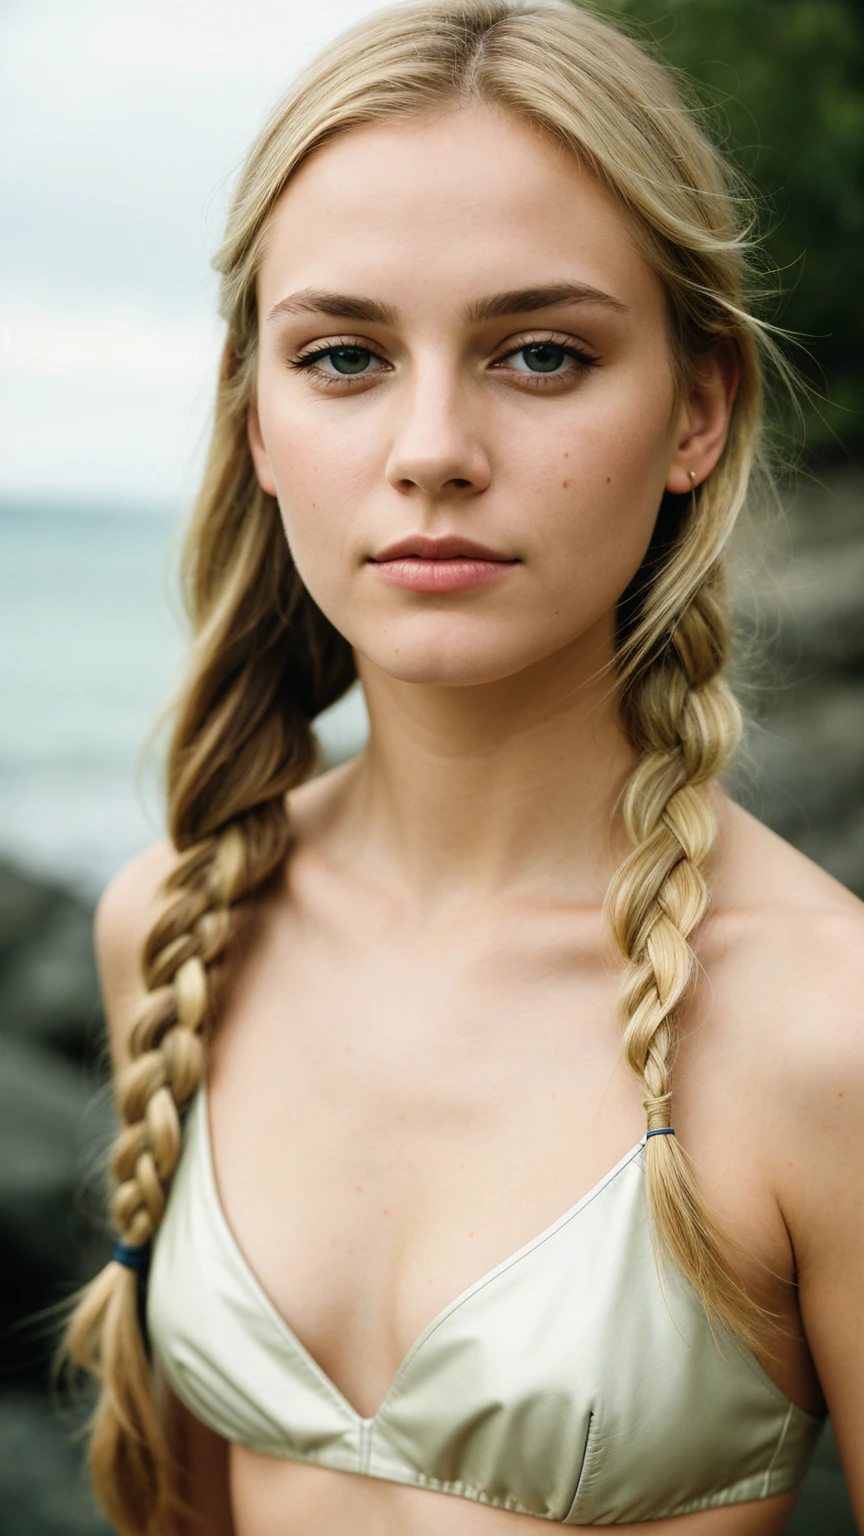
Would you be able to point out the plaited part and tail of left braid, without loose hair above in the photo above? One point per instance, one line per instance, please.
(130, 1457)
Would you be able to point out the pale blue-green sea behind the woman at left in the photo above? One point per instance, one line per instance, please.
(91, 643)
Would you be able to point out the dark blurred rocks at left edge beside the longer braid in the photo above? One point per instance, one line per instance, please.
(56, 1124)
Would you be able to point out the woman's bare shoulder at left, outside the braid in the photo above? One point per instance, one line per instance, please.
(122, 921)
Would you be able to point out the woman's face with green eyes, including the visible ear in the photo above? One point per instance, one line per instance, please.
(460, 348)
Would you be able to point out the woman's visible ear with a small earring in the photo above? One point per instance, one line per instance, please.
(703, 419)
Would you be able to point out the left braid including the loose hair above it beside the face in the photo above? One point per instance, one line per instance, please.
(265, 663)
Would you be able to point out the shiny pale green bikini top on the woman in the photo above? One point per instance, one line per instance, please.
(568, 1383)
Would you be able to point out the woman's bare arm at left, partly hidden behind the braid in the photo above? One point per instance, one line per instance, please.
(121, 925)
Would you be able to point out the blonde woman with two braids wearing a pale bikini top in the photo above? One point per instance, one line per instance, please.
(520, 1174)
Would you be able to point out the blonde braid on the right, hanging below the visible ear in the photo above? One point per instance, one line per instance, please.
(685, 723)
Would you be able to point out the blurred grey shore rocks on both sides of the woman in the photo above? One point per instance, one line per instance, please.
(802, 620)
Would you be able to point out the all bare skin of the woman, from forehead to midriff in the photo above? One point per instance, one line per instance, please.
(460, 342)
